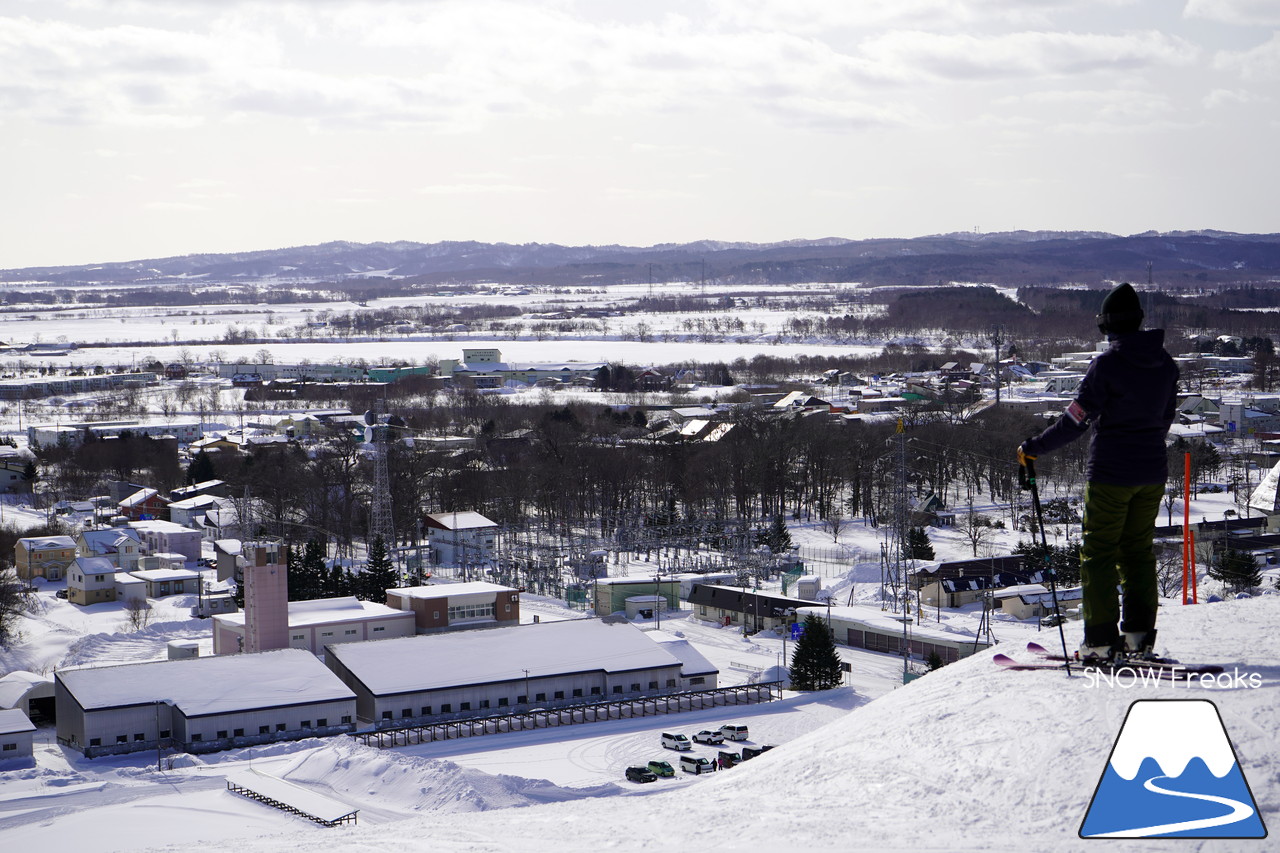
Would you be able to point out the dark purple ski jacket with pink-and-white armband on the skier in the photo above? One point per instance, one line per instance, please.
(1130, 395)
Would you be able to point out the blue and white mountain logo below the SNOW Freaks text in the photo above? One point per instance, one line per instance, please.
(1173, 773)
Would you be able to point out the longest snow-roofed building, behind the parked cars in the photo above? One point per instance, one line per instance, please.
(469, 674)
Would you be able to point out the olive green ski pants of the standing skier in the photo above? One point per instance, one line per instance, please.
(1119, 527)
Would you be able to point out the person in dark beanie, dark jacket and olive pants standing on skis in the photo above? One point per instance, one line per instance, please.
(1128, 396)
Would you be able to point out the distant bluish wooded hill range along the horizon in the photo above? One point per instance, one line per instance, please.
(1176, 259)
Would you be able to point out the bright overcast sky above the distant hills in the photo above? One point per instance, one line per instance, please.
(145, 129)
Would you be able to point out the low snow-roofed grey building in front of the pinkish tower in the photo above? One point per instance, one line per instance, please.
(200, 705)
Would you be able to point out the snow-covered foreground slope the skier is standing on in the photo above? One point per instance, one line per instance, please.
(971, 758)
